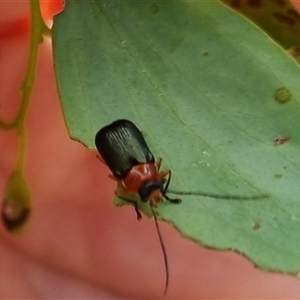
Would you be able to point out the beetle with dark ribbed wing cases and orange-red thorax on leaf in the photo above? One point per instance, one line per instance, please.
(126, 153)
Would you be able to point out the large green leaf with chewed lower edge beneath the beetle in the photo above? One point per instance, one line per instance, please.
(214, 96)
